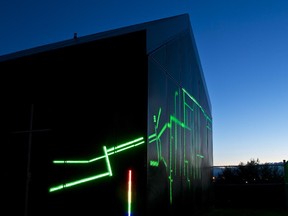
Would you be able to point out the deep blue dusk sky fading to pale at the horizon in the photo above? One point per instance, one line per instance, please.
(242, 44)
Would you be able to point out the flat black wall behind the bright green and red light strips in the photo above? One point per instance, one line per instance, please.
(85, 96)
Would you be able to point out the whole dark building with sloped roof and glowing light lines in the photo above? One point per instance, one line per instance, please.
(120, 124)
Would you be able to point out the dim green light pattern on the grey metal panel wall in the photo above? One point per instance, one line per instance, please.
(173, 126)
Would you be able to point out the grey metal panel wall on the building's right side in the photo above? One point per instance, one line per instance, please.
(179, 128)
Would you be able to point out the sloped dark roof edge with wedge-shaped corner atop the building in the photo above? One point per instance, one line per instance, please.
(164, 28)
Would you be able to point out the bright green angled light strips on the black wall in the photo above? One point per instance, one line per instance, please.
(107, 153)
